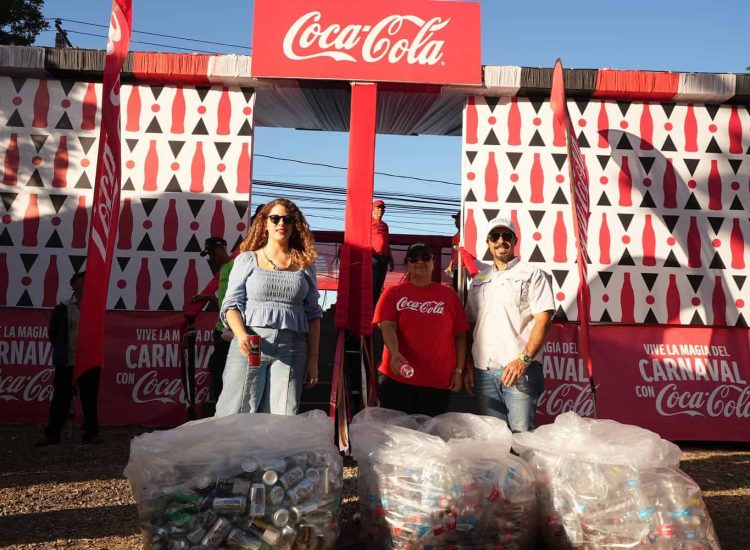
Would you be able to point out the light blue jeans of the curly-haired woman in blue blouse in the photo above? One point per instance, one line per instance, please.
(273, 387)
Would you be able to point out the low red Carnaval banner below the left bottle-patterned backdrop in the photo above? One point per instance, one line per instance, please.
(141, 381)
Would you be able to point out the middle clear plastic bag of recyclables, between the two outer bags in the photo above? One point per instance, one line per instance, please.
(440, 483)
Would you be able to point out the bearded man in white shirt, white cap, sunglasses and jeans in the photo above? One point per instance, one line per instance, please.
(510, 306)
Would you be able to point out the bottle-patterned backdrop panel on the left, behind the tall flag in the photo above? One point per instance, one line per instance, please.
(186, 175)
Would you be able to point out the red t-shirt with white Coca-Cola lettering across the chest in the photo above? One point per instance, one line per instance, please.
(427, 320)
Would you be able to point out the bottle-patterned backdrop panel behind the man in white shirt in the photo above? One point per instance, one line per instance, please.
(669, 233)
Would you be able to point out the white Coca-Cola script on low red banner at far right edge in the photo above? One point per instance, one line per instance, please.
(726, 400)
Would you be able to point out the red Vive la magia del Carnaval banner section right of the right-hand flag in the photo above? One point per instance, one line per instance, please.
(683, 383)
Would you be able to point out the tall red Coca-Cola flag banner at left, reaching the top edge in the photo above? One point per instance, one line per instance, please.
(106, 206)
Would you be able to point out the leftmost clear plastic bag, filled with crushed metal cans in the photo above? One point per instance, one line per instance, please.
(249, 481)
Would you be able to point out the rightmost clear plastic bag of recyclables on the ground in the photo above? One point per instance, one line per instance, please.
(602, 484)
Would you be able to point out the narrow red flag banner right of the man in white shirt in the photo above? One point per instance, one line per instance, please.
(579, 192)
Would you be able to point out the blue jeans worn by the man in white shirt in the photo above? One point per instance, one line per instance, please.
(517, 404)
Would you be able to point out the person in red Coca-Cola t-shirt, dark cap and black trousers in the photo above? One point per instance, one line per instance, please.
(424, 330)
